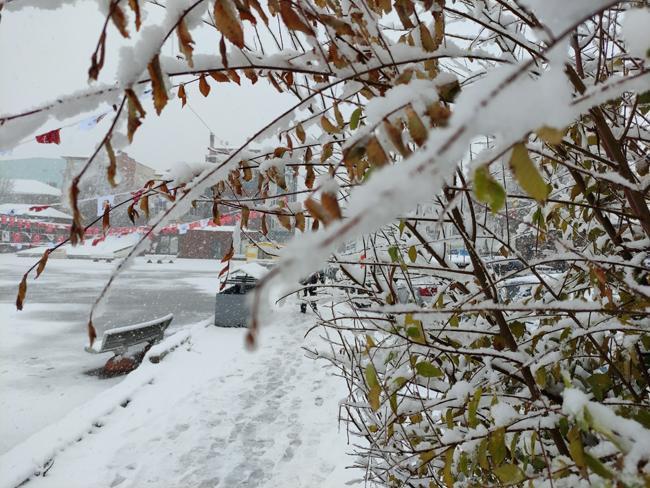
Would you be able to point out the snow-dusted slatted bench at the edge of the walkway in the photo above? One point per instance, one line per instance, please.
(121, 339)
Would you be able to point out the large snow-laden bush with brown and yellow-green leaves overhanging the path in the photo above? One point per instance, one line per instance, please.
(478, 170)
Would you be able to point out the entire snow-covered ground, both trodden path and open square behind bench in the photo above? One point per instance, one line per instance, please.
(209, 414)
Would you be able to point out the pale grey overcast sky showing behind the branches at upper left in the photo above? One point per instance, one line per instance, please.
(47, 53)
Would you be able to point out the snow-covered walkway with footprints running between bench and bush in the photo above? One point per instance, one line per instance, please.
(210, 414)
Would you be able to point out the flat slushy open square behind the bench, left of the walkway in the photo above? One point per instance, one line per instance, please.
(43, 367)
